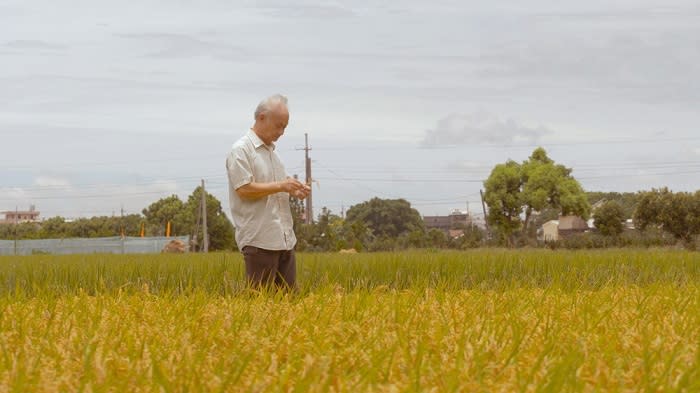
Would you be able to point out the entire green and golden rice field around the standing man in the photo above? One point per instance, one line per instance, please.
(484, 320)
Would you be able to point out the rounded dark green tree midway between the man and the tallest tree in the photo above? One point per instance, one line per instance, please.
(386, 217)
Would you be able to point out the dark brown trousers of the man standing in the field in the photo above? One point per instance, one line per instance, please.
(267, 267)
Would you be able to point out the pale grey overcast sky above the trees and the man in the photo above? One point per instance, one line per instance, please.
(110, 105)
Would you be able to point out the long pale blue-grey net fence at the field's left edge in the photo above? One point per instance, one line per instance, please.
(101, 245)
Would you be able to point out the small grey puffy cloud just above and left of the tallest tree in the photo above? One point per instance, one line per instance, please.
(481, 127)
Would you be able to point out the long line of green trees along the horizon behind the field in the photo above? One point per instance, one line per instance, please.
(521, 196)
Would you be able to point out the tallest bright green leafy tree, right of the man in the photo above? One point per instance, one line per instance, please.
(515, 192)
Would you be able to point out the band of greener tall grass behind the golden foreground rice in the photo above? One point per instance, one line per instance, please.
(224, 273)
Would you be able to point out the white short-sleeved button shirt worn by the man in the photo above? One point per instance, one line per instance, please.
(261, 222)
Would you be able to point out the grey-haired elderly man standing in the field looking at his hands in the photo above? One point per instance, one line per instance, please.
(259, 191)
